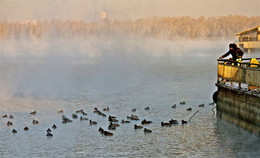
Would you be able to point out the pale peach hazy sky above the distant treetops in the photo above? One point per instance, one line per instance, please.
(14, 10)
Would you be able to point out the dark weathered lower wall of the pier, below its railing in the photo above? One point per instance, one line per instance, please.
(240, 108)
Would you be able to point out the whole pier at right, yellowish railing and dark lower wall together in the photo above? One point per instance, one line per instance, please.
(238, 95)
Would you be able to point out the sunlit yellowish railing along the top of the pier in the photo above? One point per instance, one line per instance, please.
(246, 72)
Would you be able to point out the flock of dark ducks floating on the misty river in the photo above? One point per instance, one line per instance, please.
(113, 121)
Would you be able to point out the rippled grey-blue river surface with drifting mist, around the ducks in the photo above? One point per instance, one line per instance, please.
(50, 76)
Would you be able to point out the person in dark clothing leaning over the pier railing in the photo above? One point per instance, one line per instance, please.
(236, 53)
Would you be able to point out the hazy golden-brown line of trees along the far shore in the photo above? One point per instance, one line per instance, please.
(169, 28)
